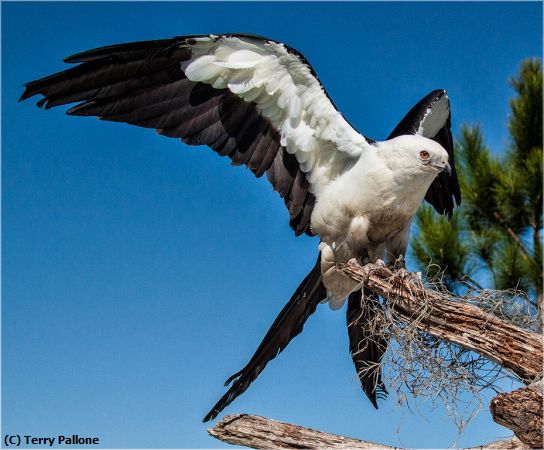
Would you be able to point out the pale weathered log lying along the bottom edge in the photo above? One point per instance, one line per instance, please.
(260, 432)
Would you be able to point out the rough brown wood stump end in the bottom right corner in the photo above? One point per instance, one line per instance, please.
(521, 411)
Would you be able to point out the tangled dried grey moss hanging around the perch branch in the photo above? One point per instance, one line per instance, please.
(420, 367)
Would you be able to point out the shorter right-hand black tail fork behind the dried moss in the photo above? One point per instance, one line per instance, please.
(367, 344)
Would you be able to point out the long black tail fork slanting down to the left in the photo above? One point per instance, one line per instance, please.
(287, 325)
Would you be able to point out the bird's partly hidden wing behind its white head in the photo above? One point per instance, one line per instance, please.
(431, 118)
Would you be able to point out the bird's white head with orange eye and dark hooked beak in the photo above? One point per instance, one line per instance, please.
(415, 154)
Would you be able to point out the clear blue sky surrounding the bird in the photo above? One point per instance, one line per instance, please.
(138, 273)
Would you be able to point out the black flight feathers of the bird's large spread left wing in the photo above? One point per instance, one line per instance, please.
(142, 84)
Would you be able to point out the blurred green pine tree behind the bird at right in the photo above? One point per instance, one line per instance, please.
(495, 236)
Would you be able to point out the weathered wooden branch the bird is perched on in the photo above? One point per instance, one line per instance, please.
(512, 347)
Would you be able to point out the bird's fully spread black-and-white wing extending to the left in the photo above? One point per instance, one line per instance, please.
(252, 99)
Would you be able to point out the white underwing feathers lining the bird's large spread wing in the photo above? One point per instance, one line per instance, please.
(287, 94)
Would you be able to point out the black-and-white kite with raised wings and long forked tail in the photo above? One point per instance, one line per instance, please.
(260, 103)
